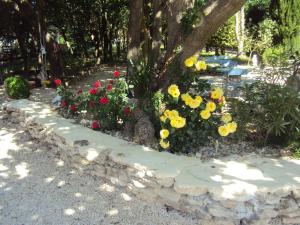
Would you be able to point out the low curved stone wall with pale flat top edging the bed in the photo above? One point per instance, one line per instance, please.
(228, 191)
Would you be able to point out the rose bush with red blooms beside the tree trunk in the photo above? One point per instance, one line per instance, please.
(106, 104)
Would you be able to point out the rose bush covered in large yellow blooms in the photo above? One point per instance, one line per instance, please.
(192, 115)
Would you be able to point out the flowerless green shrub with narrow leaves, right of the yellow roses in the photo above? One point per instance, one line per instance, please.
(271, 113)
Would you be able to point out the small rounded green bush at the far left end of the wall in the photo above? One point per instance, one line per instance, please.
(17, 87)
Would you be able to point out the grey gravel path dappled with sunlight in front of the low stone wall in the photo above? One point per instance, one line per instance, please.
(36, 187)
